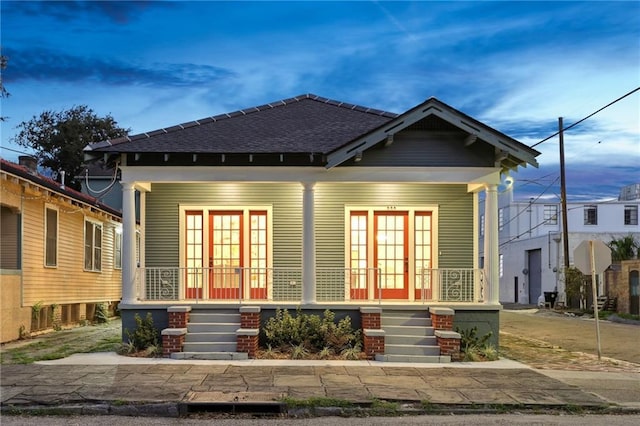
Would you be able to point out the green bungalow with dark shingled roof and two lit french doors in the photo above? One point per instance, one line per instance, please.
(315, 204)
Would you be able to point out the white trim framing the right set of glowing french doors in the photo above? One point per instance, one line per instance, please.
(411, 211)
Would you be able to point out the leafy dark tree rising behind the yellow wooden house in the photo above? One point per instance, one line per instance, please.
(59, 137)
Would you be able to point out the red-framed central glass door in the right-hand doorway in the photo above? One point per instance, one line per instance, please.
(391, 254)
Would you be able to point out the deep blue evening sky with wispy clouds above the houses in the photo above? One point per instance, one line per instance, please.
(517, 66)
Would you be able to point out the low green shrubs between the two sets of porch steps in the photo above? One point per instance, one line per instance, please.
(310, 336)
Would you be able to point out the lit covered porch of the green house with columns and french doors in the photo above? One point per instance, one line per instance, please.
(394, 253)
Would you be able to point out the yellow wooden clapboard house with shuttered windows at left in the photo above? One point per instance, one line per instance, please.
(60, 253)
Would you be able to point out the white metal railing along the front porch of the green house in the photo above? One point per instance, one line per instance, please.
(244, 285)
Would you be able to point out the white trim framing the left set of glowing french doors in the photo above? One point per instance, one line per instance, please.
(246, 239)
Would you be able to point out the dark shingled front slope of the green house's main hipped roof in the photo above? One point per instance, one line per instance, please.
(304, 124)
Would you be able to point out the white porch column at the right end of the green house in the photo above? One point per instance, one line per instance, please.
(491, 249)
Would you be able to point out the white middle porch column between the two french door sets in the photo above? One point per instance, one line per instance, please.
(308, 244)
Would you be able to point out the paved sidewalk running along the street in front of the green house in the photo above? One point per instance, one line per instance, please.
(107, 383)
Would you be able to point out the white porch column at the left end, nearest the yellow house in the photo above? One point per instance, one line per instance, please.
(128, 243)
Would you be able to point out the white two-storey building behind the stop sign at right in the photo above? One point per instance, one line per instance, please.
(531, 247)
